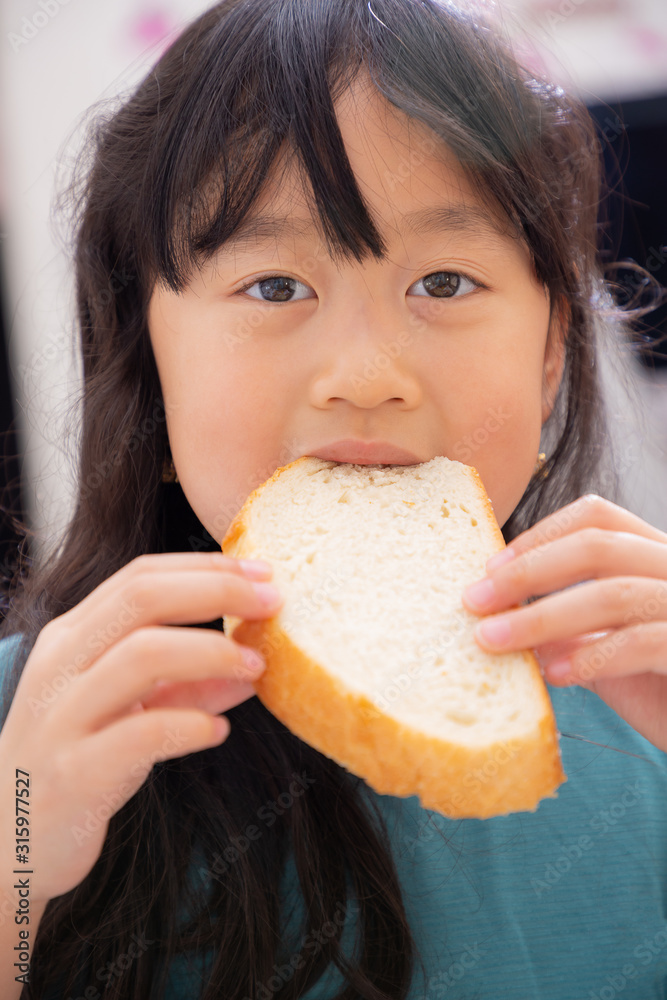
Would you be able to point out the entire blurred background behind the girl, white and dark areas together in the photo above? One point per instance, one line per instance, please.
(58, 58)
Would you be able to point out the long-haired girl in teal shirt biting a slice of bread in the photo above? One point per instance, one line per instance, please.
(325, 221)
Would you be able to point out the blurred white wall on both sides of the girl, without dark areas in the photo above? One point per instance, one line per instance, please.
(58, 57)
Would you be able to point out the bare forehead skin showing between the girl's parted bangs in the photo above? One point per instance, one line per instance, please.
(410, 180)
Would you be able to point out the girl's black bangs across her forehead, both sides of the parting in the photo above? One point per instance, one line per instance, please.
(266, 87)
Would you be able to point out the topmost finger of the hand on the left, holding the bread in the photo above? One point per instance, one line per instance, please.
(141, 594)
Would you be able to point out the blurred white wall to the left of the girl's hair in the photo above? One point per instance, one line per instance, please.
(56, 60)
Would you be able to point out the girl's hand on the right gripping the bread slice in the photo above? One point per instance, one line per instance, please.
(610, 633)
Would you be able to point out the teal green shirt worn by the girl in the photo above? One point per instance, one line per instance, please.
(566, 903)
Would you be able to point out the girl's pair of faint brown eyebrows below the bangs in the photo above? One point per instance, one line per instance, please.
(444, 219)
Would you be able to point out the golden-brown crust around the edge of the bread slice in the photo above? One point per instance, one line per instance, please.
(392, 757)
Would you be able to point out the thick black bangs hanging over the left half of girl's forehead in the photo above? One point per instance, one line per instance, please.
(239, 114)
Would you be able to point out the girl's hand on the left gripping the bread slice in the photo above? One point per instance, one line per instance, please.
(87, 720)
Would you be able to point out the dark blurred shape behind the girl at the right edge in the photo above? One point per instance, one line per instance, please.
(634, 137)
